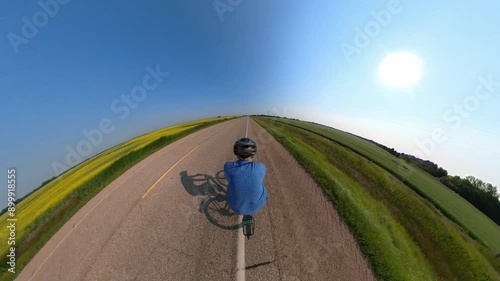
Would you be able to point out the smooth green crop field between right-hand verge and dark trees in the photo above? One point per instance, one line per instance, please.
(456, 208)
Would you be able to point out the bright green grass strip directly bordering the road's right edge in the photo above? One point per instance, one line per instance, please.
(383, 240)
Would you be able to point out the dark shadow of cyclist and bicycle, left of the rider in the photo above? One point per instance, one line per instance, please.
(214, 204)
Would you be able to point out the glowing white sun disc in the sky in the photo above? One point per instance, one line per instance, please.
(400, 70)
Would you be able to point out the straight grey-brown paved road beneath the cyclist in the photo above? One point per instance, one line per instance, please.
(158, 222)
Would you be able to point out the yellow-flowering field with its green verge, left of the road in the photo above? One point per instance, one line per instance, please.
(43, 212)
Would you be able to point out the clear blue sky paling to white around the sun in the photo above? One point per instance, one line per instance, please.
(285, 57)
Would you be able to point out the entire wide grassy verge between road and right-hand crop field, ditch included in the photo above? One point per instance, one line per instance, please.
(403, 237)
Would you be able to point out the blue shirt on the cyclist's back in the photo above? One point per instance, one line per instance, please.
(246, 193)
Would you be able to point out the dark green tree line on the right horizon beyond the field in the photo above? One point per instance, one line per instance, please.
(483, 196)
